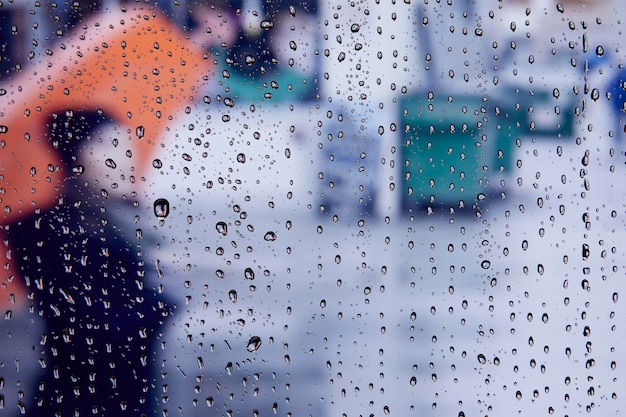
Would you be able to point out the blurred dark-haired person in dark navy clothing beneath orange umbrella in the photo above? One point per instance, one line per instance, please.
(102, 314)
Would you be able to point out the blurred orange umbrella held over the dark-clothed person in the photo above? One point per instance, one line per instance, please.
(134, 65)
